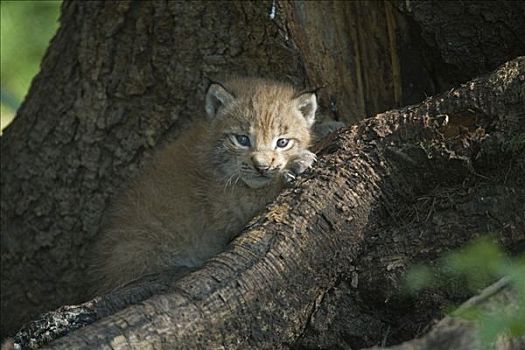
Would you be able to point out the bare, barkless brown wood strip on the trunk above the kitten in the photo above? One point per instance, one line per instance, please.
(354, 58)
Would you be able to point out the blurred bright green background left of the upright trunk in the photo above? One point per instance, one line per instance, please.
(26, 29)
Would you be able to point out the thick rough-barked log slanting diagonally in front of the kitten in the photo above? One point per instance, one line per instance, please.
(348, 221)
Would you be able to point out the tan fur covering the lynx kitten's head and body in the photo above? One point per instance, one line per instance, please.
(201, 190)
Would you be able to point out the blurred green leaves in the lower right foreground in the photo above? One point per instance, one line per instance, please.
(478, 265)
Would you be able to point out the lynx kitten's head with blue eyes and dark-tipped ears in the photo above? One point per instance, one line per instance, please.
(257, 128)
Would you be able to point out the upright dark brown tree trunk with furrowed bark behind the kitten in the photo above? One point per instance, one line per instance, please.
(121, 77)
